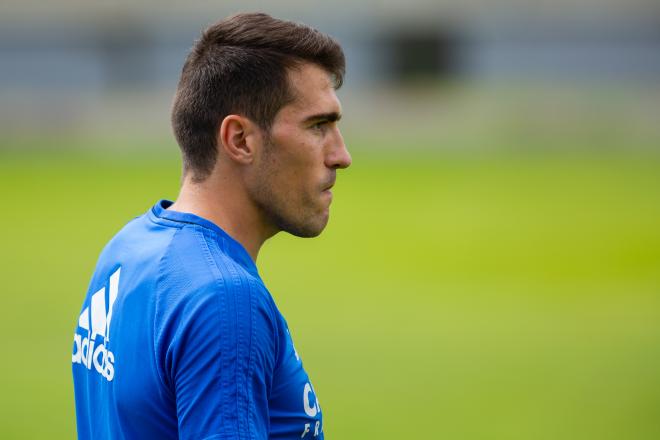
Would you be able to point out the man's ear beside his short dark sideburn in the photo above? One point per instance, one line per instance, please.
(236, 138)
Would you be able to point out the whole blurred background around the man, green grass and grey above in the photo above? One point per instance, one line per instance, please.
(491, 269)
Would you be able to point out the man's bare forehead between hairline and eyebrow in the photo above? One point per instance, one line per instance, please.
(313, 91)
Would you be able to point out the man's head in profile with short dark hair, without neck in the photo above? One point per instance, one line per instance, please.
(257, 99)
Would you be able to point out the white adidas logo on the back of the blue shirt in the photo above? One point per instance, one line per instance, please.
(84, 350)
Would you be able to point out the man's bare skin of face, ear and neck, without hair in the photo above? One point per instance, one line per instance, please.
(263, 183)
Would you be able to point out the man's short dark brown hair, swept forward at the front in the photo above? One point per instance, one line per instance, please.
(240, 66)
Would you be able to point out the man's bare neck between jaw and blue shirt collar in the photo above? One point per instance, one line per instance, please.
(226, 204)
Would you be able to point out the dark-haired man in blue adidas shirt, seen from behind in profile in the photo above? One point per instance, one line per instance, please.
(178, 337)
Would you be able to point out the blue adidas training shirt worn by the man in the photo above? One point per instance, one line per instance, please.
(179, 338)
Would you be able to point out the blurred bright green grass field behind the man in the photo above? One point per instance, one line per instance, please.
(453, 296)
